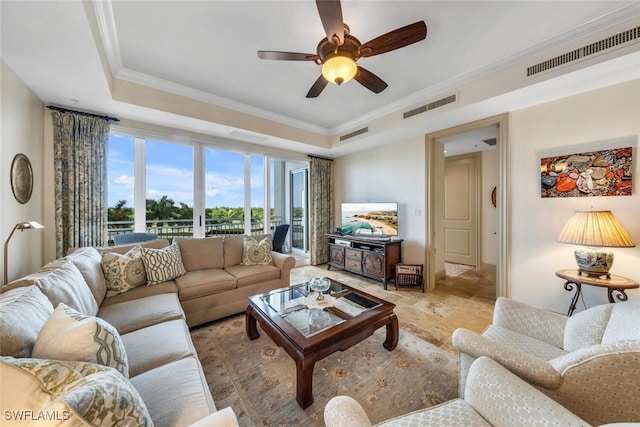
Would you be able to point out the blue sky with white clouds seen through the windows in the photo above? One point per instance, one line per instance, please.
(169, 170)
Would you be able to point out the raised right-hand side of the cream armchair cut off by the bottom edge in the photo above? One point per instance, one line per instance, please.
(504, 399)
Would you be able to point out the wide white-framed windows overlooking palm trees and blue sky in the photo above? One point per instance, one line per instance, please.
(192, 189)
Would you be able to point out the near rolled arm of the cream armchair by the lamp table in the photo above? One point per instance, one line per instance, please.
(532, 369)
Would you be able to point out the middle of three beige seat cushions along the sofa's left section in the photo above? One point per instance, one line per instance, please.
(169, 340)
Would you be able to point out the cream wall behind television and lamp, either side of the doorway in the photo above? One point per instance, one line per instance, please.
(396, 172)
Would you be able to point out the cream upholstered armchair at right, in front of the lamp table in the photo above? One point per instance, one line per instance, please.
(589, 363)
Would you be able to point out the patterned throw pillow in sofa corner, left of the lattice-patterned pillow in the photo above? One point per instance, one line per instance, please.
(123, 272)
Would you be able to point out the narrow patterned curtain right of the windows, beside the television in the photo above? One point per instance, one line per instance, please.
(320, 209)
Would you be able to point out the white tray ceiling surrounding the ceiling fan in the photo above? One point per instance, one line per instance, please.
(67, 51)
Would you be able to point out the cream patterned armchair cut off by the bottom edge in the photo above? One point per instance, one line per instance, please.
(493, 397)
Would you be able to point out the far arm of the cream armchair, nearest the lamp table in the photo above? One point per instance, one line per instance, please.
(535, 322)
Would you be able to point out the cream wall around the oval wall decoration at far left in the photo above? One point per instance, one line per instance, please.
(21, 122)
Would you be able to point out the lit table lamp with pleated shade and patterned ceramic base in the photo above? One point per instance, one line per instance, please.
(598, 231)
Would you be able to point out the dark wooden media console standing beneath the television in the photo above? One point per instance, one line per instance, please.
(372, 257)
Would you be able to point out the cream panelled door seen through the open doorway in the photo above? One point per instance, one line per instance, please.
(460, 210)
